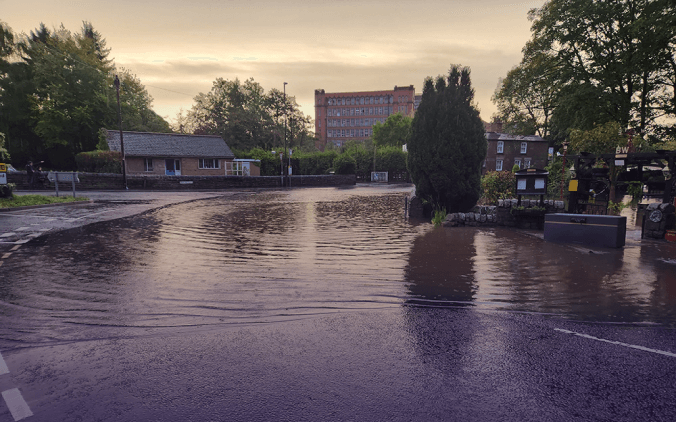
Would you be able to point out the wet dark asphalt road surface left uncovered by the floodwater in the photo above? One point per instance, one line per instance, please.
(399, 363)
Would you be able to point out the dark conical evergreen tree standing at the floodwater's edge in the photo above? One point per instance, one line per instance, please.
(448, 144)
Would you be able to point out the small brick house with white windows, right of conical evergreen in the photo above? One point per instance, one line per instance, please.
(505, 150)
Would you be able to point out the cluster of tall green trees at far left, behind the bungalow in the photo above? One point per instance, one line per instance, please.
(56, 93)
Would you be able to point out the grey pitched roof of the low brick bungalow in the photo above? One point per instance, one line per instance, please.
(149, 144)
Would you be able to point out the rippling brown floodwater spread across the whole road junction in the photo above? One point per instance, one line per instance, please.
(271, 256)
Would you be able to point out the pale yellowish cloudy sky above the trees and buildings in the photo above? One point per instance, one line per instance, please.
(178, 48)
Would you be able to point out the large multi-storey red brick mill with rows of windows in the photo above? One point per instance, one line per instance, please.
(344, 116)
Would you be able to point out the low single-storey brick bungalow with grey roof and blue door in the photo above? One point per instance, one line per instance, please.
(173, 154)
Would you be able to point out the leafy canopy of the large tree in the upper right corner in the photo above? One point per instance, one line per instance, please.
(593, 62)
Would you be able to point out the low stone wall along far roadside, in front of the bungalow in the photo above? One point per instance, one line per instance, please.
(102, 181)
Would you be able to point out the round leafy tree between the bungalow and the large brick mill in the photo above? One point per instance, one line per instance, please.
(248, 117)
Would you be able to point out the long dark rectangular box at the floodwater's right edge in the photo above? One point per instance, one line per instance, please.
(591, 230)
